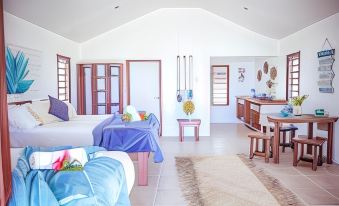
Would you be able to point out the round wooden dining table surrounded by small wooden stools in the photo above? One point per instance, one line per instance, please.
(308, 119)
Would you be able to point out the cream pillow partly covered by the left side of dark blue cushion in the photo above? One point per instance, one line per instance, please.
(40, 109)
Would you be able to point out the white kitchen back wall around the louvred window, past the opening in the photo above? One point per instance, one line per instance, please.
(227, 114)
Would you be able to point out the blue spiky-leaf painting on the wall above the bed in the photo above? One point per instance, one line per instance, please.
(16, 72)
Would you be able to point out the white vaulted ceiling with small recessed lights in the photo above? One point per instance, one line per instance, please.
(81, 20)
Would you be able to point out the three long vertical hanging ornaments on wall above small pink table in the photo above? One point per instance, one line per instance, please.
(184, 91)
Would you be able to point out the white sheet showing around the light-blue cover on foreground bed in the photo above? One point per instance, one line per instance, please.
(117, 155)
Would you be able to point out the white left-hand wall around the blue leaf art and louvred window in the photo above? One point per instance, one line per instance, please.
(24, 34)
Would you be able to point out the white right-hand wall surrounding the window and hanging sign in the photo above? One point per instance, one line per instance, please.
(309, 41)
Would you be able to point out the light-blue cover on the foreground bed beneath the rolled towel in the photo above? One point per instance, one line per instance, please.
(101, 183)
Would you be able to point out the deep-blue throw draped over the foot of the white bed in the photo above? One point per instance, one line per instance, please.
(138, 136)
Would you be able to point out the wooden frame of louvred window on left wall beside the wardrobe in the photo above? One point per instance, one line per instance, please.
(67, 75)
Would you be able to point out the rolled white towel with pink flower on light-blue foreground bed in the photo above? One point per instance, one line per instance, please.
(54, 160)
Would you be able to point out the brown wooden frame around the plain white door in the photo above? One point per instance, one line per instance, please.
(160, 85)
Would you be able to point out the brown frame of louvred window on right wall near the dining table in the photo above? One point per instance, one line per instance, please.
(288, 79)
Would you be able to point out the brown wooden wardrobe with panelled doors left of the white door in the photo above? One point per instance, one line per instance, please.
(100, 88)
